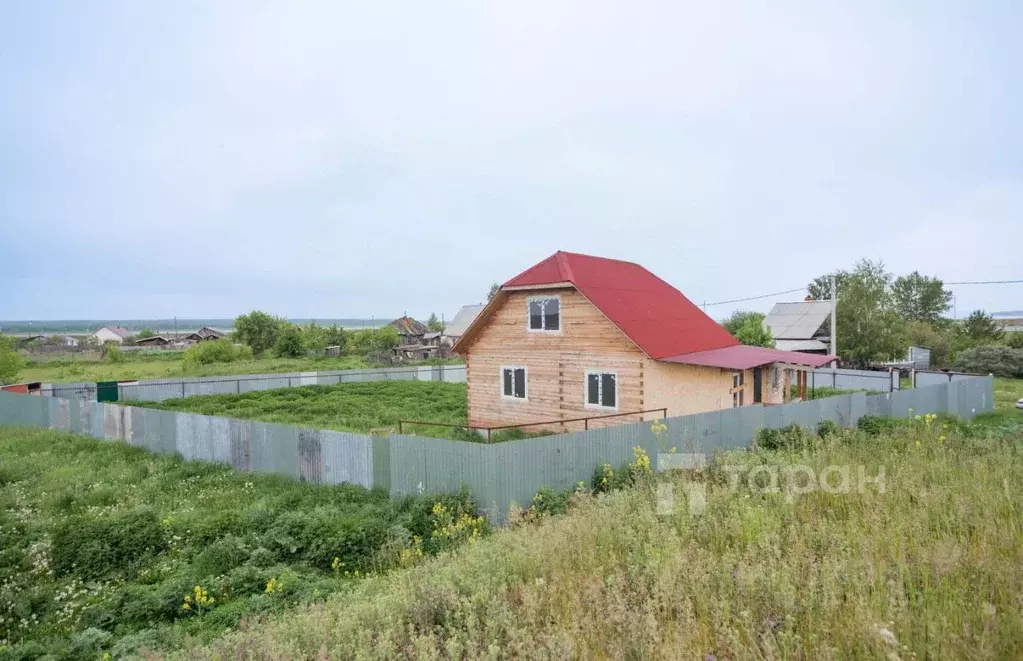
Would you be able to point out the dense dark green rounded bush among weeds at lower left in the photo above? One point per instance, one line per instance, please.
(96, 547)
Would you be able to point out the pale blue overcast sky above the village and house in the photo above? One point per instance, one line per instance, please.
(340, 159)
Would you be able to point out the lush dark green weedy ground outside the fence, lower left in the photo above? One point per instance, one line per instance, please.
(103, 546)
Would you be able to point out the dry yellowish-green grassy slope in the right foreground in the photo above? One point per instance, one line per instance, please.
(928, 569)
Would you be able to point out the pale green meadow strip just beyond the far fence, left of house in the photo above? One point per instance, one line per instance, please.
(170, 365)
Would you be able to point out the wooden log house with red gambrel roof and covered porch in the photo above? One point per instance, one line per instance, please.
(577, 336)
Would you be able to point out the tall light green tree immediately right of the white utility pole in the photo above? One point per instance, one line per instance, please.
(869, 327)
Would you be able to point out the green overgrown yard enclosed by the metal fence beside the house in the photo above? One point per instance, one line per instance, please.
(347, 408)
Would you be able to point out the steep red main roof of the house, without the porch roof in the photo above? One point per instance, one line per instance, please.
(652, 314)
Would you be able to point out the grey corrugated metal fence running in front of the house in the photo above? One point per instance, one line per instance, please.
(499, 474)
